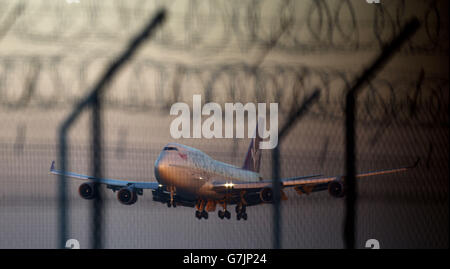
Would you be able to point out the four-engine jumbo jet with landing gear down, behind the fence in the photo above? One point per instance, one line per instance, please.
(188, 177)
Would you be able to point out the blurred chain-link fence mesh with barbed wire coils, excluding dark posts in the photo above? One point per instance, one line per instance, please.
(53, 53)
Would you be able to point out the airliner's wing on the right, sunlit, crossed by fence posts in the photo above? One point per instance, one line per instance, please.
(306, 184)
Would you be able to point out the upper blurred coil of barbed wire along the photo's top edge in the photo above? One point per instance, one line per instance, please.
(212, 26)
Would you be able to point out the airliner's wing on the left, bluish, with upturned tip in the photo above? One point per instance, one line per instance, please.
(109, 182)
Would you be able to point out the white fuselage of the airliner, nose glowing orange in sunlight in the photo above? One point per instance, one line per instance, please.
(191, 172)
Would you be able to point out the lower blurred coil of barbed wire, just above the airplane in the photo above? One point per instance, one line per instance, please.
(52, 82)
